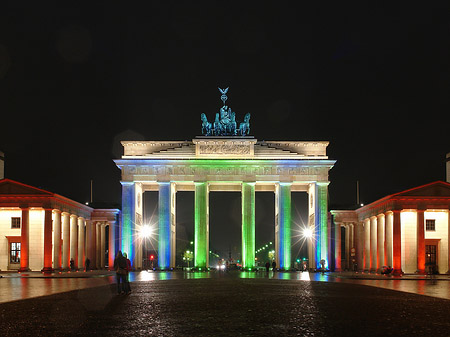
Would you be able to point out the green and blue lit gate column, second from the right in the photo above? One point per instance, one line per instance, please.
(283, 225)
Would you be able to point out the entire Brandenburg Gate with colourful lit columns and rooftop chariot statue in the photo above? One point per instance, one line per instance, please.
(225, 158)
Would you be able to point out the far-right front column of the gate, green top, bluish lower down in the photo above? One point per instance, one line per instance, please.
(322, 219)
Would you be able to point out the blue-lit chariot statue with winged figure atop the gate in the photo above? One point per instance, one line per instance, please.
(225, 123)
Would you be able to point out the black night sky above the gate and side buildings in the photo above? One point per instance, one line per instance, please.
(374, 81)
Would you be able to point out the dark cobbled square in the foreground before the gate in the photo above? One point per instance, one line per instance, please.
(229, 306)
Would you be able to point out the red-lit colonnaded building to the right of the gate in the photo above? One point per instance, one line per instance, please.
(407, 231)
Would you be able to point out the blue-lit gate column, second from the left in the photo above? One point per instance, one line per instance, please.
(166, 235)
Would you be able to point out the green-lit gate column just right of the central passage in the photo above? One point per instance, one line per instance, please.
(248, 225)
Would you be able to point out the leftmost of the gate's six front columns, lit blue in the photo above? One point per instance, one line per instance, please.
(128, 219)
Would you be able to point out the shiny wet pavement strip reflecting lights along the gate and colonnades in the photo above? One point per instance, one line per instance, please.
(16, 288)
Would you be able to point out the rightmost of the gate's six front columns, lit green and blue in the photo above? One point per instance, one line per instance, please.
(321, 223)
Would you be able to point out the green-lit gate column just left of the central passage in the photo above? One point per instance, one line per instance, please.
(201, 229)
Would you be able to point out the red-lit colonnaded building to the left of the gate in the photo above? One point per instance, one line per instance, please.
(41, 230)
